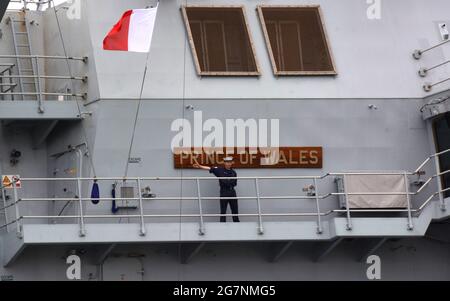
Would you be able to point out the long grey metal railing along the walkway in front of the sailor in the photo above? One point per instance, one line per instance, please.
(81, 216)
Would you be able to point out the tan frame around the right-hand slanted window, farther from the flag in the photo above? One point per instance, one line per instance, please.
(277, 72)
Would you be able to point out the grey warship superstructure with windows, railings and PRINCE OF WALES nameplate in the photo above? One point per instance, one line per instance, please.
(358, 89)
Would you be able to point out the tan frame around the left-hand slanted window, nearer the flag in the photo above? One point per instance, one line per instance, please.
(194, 51)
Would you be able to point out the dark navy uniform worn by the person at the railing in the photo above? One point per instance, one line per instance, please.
(227, 190)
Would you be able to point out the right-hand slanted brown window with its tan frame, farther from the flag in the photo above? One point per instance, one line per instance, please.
(296, 39)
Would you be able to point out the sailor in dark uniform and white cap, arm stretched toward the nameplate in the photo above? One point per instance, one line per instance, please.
(226, 187)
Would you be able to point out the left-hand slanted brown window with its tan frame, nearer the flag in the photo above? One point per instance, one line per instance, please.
(220, 40)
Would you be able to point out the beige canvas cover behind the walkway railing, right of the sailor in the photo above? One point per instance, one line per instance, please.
(376, 183)
